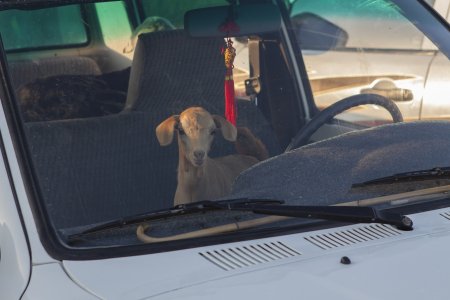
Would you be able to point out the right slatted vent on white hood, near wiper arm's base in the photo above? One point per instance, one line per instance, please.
(352, 236)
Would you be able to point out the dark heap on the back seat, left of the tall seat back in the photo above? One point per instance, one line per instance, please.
(73, 96)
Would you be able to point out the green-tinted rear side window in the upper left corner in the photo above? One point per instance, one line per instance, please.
(51, 27)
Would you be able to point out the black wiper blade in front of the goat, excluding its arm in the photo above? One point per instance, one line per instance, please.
(182, 209)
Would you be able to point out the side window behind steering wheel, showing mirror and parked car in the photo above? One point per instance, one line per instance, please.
(363, 47)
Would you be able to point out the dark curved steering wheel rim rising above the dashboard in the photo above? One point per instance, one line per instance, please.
(303, 135)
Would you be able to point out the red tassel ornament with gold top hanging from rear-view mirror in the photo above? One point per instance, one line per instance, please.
(229, 54)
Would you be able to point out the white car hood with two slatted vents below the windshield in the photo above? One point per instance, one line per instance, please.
(385, 263)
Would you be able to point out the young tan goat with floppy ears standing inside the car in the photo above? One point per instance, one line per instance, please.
(201, 177)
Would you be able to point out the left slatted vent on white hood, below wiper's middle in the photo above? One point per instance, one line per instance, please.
(250, 255)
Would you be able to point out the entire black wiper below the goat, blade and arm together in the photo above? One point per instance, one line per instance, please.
(347, 214)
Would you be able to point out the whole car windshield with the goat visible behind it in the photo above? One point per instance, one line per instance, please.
(133, 107)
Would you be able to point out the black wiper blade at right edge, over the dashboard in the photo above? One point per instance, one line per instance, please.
(440, 173)
